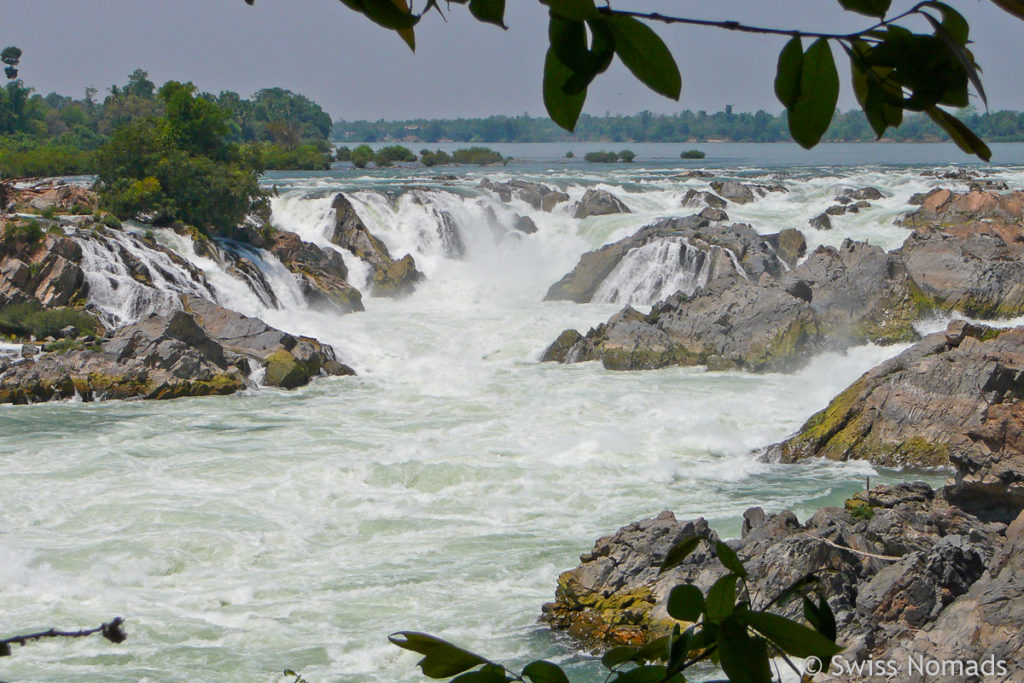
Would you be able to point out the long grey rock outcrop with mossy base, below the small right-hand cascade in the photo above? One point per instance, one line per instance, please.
(837, 298)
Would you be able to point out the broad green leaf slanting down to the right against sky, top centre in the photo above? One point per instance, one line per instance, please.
(647, 56)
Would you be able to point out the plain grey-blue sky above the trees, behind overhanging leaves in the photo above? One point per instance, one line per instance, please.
(356, 70)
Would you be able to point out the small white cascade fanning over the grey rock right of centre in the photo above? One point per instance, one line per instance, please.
(658, 270)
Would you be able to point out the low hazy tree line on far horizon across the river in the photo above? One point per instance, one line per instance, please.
(852, 126)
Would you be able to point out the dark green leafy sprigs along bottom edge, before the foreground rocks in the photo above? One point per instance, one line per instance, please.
(727, 630)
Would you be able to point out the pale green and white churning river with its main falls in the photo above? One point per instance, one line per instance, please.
(447, 486)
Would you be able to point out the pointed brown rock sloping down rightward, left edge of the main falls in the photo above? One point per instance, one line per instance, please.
(391, 278)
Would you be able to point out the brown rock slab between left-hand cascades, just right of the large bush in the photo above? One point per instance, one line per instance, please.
(322, 273)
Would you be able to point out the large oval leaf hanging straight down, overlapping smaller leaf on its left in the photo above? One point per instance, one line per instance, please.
(813, 112)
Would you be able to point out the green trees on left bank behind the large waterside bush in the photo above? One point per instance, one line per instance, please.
(58, 135)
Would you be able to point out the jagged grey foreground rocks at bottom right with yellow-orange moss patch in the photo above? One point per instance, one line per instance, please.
(895, 566)
